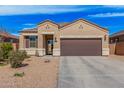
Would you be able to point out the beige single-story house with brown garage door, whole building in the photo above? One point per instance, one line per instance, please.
(78, 38)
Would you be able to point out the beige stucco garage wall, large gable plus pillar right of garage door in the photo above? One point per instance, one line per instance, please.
(88, 31)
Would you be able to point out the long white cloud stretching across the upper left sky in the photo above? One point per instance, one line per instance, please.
(44, 9)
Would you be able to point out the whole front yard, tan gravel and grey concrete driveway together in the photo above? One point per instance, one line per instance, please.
(42, 72)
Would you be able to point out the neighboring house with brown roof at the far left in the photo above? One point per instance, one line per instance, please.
(6, 37)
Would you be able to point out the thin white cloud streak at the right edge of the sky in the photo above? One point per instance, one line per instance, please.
(107, 15)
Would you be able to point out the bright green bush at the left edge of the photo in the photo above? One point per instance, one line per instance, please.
(5, 48)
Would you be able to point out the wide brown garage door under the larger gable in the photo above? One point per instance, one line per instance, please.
(81, 47)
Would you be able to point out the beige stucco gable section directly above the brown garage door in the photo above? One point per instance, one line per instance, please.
(88, 30)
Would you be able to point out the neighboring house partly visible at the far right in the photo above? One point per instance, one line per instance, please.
(117, 43)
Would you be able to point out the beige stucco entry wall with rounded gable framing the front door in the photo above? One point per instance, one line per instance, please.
(52, 30)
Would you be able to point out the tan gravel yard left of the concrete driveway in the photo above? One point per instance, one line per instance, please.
(38, 74)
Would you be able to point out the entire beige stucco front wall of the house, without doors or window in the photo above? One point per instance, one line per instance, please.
(70, 31)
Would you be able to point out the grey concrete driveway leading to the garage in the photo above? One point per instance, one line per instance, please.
(90, 72)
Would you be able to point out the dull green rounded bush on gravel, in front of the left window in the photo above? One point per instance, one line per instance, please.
(16, 58)
